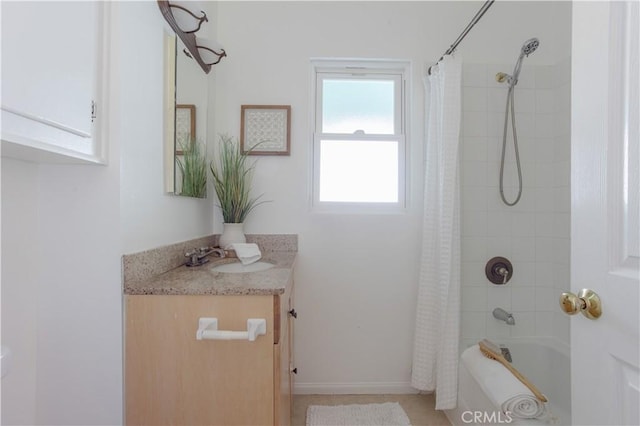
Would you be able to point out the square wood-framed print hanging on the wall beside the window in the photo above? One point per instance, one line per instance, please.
(265, 129)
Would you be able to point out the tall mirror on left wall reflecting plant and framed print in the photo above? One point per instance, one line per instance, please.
(186, 107)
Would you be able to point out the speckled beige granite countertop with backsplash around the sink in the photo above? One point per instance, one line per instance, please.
(202, 280)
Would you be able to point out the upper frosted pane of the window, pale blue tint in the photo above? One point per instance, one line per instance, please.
(352, 104)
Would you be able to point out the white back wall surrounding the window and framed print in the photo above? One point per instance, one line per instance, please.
(356, 275)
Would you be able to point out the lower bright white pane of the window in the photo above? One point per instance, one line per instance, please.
(359, 171)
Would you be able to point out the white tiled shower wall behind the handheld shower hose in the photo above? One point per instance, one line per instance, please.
(533, 234)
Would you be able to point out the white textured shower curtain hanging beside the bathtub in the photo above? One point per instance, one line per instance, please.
(435, 353)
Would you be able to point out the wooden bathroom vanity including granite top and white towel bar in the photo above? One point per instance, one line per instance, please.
(172, 377)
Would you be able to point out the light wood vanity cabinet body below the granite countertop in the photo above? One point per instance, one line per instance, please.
(172, 378)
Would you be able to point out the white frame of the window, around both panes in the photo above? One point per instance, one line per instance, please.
(396, 70)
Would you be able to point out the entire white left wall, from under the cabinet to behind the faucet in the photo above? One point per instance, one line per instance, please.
(65, 229)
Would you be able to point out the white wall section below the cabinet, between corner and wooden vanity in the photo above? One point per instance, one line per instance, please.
(79, 315)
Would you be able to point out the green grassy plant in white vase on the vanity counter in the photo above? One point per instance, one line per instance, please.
(232, 176)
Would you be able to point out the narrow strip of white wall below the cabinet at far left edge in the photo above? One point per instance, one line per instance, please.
(19, 287)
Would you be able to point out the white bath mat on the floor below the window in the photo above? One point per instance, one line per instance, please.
(386, 414)
